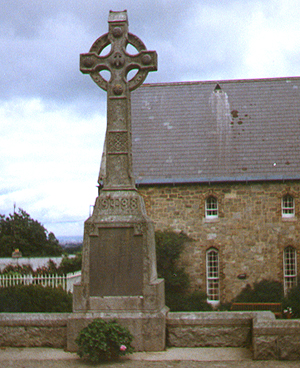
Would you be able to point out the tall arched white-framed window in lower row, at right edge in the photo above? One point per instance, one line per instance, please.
(289, 268)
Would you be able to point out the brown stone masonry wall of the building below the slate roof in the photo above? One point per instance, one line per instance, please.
(250, 233)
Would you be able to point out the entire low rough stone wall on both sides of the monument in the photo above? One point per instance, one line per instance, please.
(271, 338)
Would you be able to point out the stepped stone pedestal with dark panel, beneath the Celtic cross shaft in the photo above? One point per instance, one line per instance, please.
(119, 278)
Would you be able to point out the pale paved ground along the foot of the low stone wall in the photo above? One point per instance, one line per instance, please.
(171, 358)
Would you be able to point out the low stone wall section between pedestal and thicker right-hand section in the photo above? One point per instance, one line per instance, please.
(209, 329)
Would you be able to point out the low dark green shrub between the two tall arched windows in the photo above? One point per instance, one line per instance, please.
(265, 291)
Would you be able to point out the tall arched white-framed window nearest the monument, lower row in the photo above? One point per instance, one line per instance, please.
(212, 275)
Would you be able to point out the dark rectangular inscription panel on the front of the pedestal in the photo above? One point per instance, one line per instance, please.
(116, 263)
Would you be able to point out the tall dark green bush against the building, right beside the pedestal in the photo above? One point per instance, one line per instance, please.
(169, 246)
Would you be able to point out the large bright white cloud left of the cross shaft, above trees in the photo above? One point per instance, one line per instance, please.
(49, 159)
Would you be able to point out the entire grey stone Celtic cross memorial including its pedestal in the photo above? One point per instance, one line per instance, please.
(119, 277)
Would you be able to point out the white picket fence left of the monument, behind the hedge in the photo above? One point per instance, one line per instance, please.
(66, 281)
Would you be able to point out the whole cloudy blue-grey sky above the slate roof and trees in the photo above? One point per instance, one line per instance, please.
(53, 118)
